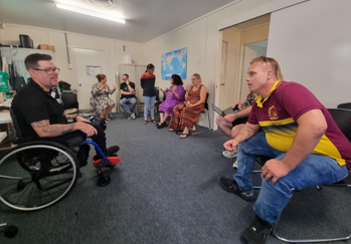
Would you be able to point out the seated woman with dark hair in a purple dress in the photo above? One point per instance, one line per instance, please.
(175, 95)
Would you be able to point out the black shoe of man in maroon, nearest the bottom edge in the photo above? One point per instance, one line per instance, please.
(257, 232)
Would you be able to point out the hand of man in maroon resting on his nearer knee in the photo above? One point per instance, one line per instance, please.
(276, 169)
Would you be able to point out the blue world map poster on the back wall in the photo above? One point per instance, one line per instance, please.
(174, 62)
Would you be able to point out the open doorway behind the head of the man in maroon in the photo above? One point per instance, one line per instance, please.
(242, 43)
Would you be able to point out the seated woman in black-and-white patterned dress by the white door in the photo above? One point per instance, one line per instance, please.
(100, 100)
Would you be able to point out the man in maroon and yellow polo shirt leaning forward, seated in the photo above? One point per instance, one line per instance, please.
(307, 146)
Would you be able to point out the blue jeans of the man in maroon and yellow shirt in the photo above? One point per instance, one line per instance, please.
(312, 171)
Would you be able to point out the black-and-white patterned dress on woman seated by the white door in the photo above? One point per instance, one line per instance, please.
(100, 98)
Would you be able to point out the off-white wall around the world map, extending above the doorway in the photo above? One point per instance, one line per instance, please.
(201, 39)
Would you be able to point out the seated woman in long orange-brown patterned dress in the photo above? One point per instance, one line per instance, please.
(185, 115)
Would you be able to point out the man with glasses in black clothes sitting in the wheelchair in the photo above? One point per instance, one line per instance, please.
(40, 113)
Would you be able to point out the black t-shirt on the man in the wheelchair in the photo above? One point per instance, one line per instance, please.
(33, 104)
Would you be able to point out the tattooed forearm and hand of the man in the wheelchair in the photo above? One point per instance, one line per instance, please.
(44, 129)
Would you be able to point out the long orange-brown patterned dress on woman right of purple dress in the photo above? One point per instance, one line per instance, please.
(186, 117)
